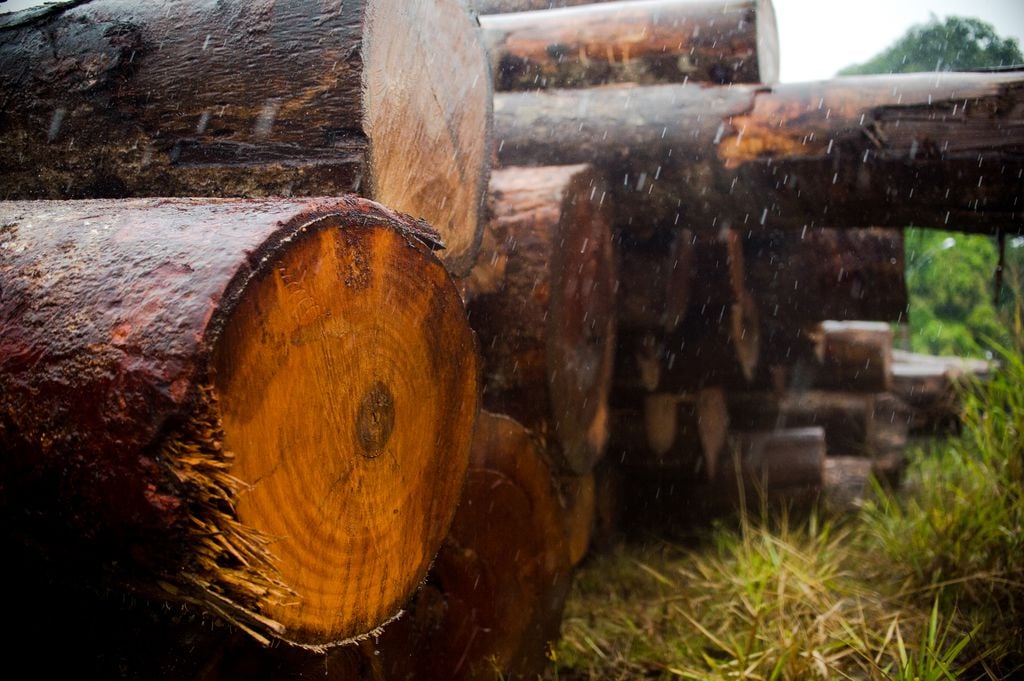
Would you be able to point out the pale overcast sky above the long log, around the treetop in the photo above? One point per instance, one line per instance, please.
(820, 37)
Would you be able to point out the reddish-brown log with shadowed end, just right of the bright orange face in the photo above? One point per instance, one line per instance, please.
(542, 303)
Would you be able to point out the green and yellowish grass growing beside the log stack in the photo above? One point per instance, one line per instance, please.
(923, 584)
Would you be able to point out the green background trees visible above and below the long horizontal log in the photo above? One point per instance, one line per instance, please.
(951, 276)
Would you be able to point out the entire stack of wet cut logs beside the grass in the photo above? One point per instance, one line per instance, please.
(248, 335)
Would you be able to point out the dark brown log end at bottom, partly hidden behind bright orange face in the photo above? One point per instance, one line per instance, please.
(494, 599)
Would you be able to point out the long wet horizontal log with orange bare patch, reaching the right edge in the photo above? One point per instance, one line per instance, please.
(929, 150)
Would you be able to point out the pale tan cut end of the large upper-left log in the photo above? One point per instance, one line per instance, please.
(442, 177)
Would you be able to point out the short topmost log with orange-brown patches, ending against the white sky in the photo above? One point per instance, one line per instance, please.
(641, 41)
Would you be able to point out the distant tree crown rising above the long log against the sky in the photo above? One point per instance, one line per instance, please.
(956, 45)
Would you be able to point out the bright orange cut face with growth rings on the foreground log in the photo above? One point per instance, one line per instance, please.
(325, 425)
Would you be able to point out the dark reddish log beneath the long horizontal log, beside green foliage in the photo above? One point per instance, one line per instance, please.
(824, 274)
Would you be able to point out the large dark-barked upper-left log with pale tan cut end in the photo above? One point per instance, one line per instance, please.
(387, 99)
